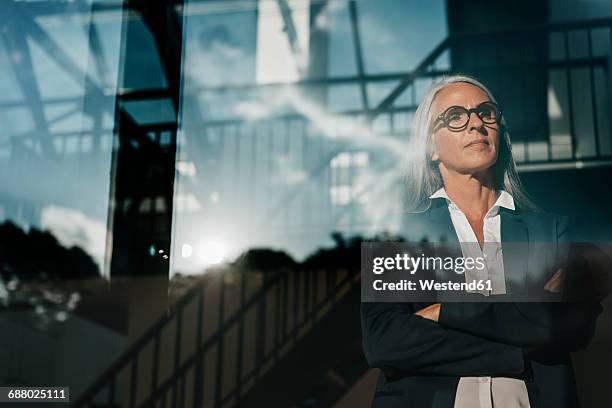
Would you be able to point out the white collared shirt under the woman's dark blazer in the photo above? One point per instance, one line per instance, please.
(486, 392)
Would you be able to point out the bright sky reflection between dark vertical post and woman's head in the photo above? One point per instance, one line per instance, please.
(283, 151)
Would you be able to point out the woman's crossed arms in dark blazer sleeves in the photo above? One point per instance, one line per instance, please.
(471, 339)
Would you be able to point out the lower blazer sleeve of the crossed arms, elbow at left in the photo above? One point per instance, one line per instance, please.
(394, 338)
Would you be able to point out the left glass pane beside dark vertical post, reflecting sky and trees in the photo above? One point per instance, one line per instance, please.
(58, 78)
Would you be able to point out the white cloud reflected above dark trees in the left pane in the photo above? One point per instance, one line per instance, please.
(73, 228)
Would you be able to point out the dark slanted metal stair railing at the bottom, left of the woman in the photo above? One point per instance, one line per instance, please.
(284, 307)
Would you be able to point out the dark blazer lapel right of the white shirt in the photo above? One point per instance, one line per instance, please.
(515, 247)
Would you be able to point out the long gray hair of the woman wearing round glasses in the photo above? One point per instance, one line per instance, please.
(423, 177)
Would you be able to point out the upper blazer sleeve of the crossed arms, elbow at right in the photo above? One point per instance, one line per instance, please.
(564, 325)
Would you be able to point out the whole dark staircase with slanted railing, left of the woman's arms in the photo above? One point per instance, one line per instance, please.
(263, 326)
